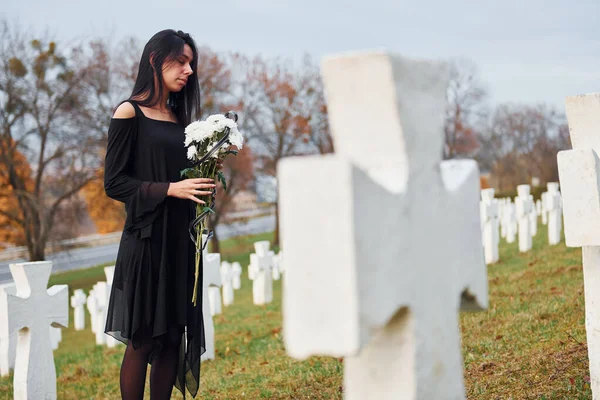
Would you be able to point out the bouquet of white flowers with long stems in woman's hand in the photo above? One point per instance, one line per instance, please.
(207, 141)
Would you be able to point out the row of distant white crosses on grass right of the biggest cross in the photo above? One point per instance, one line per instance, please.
(502, 218)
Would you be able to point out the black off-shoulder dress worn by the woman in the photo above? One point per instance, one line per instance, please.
(154, 272)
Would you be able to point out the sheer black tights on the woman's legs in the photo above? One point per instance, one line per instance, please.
(162, 373)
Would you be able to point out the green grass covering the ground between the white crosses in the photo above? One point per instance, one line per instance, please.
(530, 344)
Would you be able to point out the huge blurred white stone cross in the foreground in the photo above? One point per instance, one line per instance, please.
(366, 284)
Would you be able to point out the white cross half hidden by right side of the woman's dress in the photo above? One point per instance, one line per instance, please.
(211, 276)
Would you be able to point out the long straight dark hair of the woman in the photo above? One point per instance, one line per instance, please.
(167, 46)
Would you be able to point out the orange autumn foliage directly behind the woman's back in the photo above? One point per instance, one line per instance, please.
(108, 214)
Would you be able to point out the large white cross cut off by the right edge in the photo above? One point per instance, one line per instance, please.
(579, 173)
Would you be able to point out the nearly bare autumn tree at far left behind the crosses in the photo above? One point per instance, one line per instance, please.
(41, 93)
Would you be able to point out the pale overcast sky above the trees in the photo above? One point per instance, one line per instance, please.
(526, 50)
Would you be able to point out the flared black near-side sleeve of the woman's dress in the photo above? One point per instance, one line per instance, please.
(141, 198)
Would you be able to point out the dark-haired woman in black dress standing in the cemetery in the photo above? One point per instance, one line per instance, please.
(150, 307)
